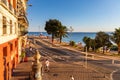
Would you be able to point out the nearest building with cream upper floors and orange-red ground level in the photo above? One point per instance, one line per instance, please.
(9, 36)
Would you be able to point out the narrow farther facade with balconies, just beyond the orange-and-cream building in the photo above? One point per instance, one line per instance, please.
(22, 26)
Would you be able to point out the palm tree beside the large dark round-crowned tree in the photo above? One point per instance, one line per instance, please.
(62, 32)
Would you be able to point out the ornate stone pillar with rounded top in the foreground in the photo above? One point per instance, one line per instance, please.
(37, 67)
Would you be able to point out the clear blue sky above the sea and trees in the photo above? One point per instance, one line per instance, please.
(81, 15)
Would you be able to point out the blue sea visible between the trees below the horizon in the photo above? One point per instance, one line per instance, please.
(74, 36)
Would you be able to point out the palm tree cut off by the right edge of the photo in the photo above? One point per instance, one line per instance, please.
(116, 38)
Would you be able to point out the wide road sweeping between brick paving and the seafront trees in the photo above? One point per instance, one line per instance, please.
(100, 64)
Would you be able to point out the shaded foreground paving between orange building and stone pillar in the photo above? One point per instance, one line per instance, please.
(22, 71)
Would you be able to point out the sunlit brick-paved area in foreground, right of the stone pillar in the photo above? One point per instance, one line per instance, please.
(64, 71)
